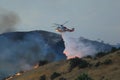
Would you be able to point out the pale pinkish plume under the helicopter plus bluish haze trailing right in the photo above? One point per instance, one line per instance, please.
(81, 47)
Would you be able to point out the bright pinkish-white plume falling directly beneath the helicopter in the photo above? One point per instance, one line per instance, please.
(74, 47)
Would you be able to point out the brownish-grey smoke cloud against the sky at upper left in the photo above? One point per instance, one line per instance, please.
(8, 20)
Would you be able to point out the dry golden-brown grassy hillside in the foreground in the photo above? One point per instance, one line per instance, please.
(102, 68)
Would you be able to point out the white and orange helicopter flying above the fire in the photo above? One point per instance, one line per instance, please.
(61, 28)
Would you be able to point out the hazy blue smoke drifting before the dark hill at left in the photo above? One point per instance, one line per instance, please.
(23, 54)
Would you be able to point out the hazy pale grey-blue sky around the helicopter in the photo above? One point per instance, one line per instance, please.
(92, 19)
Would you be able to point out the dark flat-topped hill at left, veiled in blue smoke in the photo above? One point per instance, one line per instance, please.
(22, 50)
